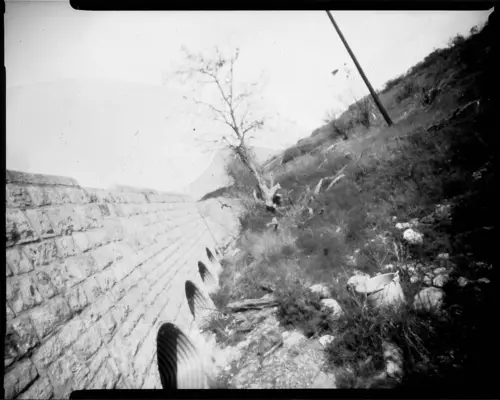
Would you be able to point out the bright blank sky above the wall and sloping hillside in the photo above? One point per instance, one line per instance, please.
(93, 95)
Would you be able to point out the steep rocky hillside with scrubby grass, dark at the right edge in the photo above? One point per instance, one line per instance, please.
(410, 206)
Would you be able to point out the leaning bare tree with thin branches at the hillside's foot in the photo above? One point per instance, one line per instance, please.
(230, 107)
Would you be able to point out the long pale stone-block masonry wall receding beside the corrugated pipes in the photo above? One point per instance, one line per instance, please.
(91, 276)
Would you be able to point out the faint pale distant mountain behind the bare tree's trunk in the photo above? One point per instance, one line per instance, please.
(214, 176)
